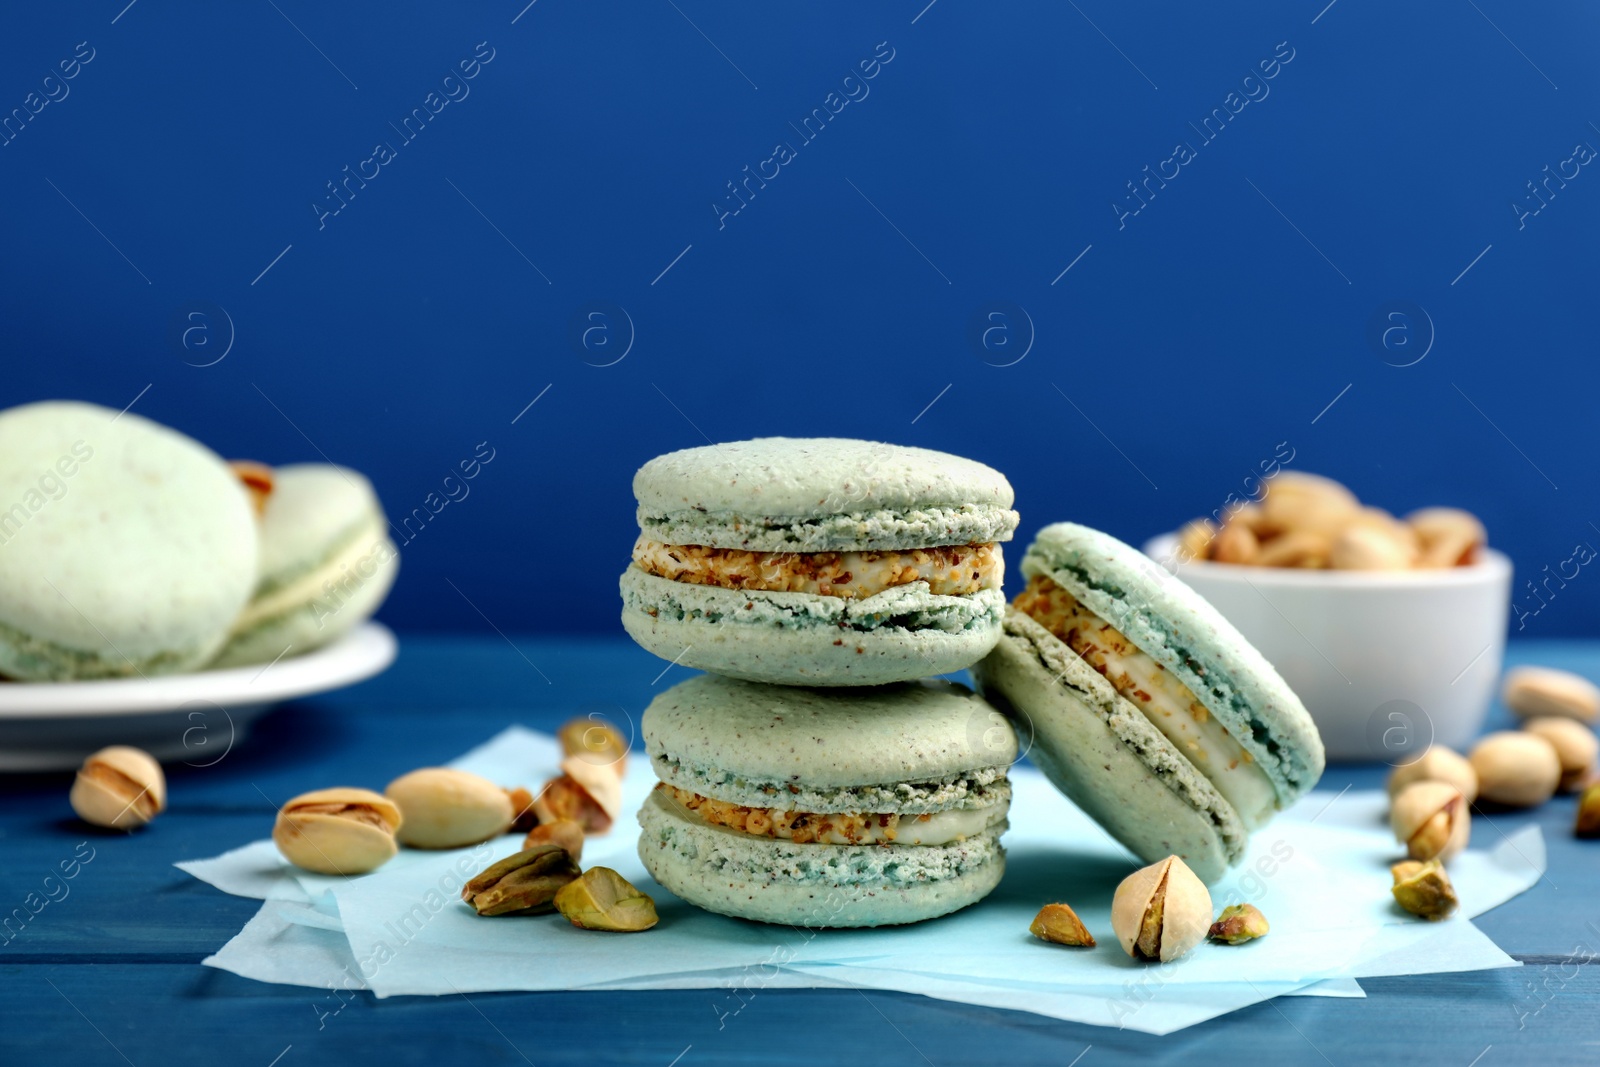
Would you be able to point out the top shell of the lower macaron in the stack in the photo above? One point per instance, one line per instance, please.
(822, 749)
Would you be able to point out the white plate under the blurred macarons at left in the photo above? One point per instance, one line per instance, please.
(194, 717)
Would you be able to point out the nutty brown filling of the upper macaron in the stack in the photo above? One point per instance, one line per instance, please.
(950, 570)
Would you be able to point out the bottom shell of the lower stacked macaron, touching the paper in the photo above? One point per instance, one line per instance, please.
(814, 885)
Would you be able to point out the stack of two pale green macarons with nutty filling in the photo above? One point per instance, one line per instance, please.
(812, 778)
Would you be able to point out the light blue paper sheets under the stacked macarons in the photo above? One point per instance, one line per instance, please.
(1319, 873)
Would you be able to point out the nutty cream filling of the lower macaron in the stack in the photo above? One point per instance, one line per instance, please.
(940, 828)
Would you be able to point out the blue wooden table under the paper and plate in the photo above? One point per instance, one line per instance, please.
(111, 972)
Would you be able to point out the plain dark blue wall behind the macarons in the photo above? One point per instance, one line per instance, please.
(986, 158)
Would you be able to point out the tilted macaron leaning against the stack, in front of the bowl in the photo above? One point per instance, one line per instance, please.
(1146, 706)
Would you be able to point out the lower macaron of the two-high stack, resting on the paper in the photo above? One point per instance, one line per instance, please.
(826, 807)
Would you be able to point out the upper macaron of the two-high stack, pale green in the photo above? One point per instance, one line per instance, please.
(818, 561)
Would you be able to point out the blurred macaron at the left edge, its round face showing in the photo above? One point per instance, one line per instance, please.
(126, 548)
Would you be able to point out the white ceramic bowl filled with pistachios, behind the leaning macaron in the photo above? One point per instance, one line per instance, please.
(1386, 663)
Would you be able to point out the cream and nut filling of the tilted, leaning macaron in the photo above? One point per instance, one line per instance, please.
(1164, 700)
